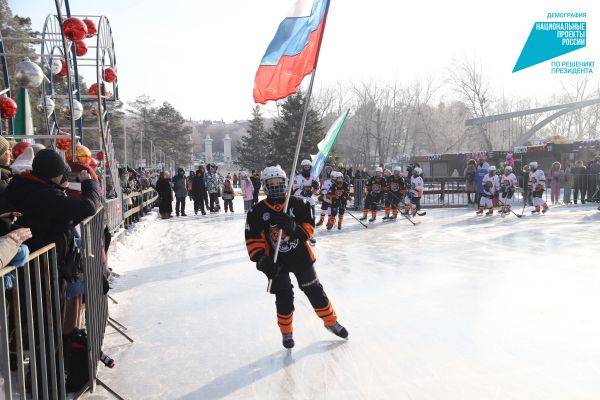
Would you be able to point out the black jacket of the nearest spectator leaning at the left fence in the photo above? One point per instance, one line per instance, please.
(47, 210)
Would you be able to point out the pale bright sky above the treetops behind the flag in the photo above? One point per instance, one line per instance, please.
(202, 55)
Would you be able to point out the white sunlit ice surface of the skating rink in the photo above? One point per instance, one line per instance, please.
(458, 307)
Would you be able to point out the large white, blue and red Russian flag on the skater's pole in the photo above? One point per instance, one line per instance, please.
(293, 52)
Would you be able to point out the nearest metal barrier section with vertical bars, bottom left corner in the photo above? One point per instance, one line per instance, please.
(32, 341)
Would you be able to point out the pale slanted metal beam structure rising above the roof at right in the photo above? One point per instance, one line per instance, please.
(512, 129)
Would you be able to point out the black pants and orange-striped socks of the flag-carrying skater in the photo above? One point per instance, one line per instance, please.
(308, 282)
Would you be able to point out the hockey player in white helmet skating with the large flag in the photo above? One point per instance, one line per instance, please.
(263, 224)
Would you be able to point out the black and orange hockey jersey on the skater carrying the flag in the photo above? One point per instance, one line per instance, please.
(261, 235)
